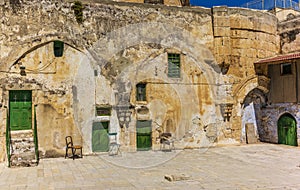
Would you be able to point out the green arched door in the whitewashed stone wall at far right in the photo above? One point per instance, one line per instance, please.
(287, 130)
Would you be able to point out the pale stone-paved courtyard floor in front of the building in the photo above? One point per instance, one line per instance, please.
(260, 166)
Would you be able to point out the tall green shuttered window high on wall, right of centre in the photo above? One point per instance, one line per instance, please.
(173, 65)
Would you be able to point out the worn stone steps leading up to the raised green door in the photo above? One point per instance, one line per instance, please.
(22, 149)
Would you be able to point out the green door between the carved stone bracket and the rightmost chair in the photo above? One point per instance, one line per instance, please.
(143, 135)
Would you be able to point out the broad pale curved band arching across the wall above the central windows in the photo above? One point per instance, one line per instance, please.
(170, 37)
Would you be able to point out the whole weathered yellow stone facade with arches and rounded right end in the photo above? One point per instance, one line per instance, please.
(119, 45)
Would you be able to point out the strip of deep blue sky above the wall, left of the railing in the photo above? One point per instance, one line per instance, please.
(210, 3)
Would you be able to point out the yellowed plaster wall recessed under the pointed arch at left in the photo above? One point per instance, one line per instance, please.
(60, 91)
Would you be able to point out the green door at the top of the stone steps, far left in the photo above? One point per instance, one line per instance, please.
(20, 107)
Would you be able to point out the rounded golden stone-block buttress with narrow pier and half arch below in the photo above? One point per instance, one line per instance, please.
(241, 37)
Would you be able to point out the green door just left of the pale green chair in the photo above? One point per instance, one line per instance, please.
(100, 139)
